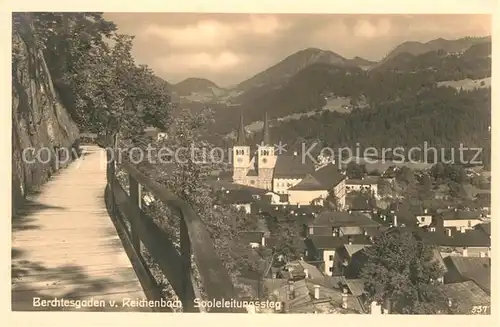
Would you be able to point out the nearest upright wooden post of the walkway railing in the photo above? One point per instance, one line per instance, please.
(187, 285)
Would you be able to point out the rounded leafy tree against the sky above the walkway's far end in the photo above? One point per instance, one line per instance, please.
(117, 98)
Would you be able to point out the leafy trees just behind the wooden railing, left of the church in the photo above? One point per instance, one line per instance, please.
(185, 173)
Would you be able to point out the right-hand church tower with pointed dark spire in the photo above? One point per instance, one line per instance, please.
(266, 158)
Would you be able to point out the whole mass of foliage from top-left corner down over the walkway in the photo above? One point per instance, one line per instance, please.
(96, 76)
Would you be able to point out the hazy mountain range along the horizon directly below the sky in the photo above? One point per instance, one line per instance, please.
(313, 82)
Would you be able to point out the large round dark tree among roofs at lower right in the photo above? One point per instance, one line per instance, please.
(402, 269)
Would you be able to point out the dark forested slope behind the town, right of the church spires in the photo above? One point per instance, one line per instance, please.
(440, 116)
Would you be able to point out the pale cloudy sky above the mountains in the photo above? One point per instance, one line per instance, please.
(229, 48)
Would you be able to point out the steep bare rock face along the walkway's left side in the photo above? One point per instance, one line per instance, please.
(41, 126)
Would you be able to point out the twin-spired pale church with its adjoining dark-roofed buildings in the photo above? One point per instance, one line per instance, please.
(289, 178)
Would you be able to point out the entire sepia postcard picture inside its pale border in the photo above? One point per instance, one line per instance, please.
(264, 163)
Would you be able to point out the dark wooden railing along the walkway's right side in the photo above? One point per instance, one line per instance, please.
(194, 241)
